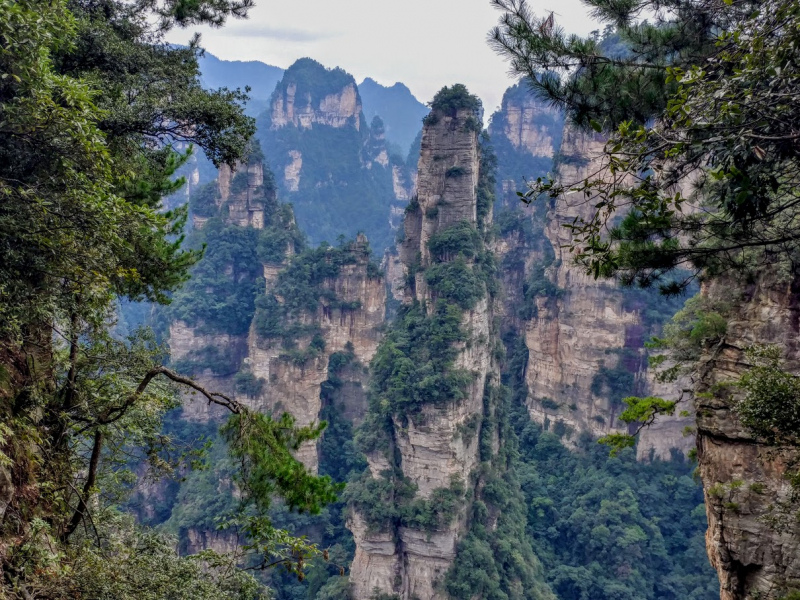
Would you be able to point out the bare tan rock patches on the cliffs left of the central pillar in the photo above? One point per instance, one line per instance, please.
(286, 385)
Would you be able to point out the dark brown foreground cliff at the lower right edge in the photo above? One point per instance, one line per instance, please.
(752, 537)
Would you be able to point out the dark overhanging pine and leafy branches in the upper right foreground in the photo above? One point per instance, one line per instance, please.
(659, 103)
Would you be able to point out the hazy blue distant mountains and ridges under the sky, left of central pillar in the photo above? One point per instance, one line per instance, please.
(325, 157)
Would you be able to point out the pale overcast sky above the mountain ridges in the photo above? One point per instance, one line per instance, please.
(423, 43)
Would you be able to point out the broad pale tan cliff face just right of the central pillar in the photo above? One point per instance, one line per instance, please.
(586, 336)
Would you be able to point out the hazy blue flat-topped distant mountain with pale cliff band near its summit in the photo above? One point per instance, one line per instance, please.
(332, 165)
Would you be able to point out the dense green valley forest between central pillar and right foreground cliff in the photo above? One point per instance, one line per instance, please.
(606, 527)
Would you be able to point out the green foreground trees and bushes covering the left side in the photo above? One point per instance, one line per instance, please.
(95, 105)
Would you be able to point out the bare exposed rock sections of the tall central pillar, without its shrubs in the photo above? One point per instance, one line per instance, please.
(428, 448)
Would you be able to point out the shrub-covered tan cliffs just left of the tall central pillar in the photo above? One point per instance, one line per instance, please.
(275, 374)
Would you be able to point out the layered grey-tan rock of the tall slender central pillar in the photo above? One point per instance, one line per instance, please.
(431, 450)
